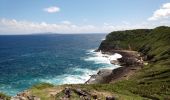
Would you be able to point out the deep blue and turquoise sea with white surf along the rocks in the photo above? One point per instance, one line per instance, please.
(26, 60)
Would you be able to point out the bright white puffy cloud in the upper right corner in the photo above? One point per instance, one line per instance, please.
(163, 12)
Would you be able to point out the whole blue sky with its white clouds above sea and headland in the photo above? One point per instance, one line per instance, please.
(81, 16)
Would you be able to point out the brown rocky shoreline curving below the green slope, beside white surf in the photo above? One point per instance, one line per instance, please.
(130, 62)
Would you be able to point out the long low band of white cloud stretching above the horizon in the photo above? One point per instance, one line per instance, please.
(12, 26)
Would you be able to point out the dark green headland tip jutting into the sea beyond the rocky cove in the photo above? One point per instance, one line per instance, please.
(123, 39)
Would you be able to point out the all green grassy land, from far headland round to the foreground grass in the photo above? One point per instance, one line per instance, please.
(151, 82)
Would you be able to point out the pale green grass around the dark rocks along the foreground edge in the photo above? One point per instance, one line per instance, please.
(117, 90)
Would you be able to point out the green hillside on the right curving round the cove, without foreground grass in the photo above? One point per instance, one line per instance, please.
(153, 80)
